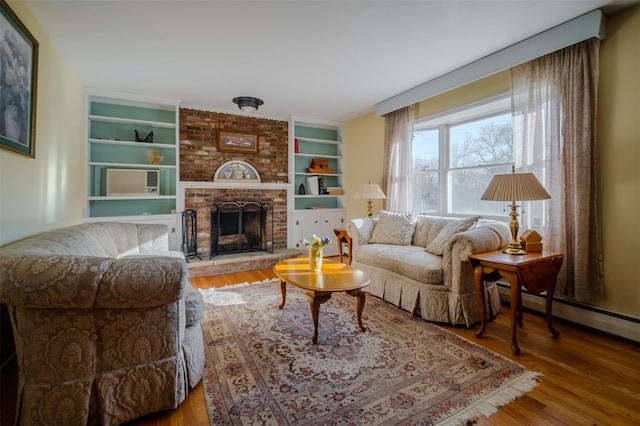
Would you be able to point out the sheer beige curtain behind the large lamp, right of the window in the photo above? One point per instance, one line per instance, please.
(554, 124)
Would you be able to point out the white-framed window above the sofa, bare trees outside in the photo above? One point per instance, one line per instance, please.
(455, 155)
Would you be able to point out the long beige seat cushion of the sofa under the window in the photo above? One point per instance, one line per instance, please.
(411, 261)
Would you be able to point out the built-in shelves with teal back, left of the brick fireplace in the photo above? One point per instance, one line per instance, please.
(112, 122)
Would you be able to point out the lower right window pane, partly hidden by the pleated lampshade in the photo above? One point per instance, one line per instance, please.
(466, 188)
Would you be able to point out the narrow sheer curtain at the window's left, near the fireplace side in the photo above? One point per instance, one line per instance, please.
(397, 170)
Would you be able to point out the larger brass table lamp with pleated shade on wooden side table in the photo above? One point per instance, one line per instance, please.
(512, 187)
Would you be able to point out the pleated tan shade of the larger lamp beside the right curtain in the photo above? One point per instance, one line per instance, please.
(515, 187)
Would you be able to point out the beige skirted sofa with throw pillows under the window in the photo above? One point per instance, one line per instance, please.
(420, 263)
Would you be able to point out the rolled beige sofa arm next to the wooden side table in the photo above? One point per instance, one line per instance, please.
(487, 236)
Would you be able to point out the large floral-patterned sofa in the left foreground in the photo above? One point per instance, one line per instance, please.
(106, 325)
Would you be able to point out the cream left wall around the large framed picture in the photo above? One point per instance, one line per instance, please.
(46, 192)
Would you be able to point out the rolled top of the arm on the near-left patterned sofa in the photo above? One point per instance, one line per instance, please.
(69, 282)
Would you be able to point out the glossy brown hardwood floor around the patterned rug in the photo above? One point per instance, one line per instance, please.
(588, 378)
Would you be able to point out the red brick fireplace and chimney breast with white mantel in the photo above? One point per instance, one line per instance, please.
(200, 157)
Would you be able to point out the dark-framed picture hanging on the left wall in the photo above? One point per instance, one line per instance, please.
(19, 78)
